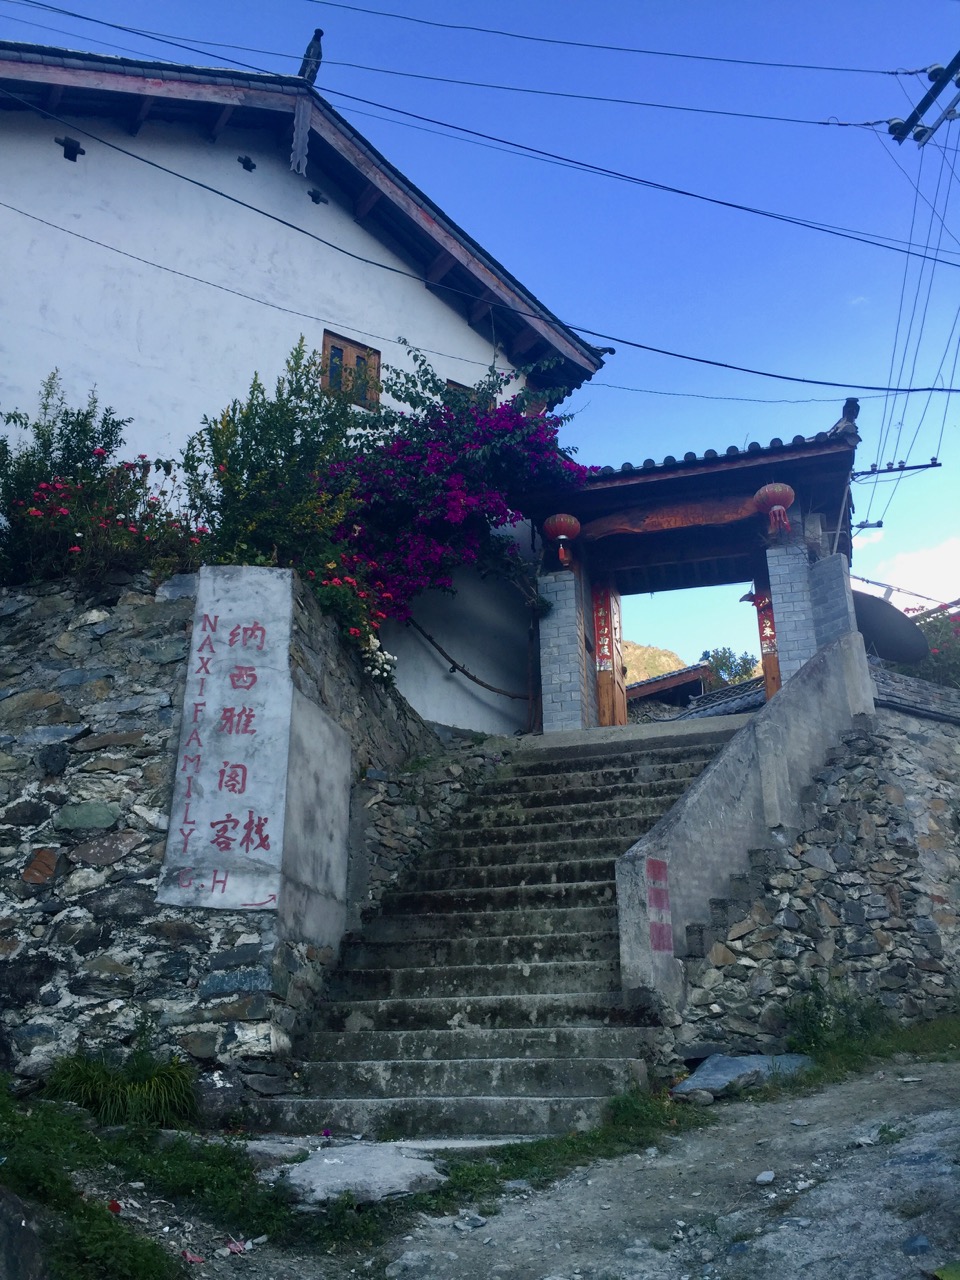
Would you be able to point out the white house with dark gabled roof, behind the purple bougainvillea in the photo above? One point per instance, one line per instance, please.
(170, 230)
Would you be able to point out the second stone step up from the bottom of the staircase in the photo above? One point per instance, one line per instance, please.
(464, 1078)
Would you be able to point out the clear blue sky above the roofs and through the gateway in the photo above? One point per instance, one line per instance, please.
(664, 269)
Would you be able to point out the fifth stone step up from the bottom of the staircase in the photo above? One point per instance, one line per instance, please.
(520, 979)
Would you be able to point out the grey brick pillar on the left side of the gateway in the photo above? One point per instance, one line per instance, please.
(564, 673)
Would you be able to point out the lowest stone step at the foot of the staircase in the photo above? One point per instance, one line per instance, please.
(419, 1118)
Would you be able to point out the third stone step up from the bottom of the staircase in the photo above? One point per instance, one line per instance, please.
(479, 1043)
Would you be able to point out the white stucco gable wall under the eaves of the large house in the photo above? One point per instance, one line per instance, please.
(162, 349)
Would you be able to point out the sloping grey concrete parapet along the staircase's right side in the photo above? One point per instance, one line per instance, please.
(753, 788)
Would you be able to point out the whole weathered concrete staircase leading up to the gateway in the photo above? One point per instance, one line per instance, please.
(486, 998)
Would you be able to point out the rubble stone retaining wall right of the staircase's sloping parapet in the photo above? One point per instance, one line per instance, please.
(867, 895)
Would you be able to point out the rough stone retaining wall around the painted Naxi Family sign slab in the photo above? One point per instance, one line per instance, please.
(90, 707)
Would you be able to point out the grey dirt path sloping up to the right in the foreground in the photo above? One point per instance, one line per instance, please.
(861, 1172)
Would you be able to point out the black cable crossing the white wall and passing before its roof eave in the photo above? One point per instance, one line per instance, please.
(401, 272)
